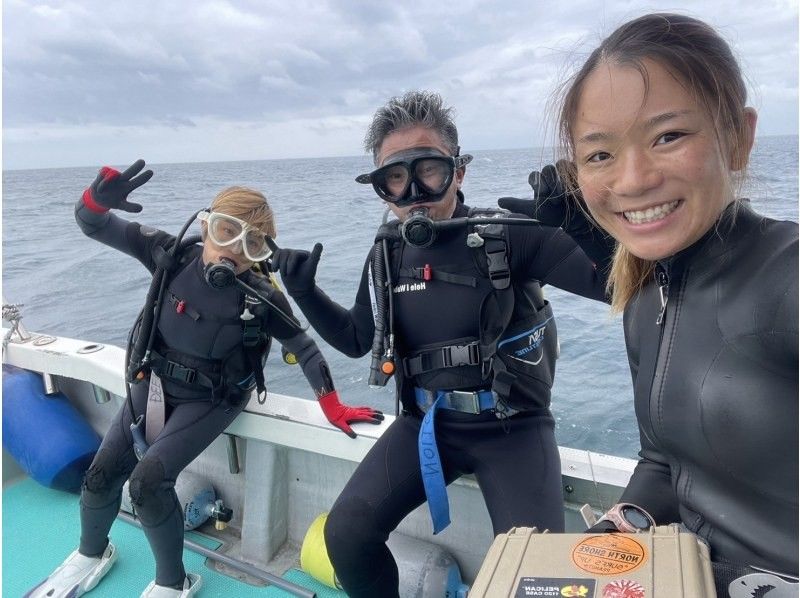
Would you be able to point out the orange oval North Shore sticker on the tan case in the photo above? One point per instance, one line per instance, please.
(609, 554)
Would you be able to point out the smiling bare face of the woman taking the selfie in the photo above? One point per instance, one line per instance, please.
(649, 161)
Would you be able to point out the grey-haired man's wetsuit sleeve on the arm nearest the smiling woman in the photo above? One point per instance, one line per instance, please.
(549, 255)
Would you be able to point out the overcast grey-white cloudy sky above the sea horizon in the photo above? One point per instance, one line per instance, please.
(96, 81)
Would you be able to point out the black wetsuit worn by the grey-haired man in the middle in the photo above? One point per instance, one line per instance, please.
(515, 460)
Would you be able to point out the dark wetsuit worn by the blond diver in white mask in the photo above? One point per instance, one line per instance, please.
(206, 328)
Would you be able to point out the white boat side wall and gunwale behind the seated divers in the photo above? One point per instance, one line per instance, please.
(281, 464)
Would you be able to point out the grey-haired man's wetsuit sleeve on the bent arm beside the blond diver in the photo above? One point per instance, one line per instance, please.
(349, 331)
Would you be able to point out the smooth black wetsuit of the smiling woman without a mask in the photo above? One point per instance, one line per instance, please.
(716, 392)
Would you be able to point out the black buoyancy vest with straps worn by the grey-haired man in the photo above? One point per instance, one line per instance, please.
(517, 346)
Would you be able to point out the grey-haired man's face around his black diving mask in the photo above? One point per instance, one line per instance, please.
(409, 138)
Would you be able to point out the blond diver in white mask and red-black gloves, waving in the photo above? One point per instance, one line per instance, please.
(204, 354)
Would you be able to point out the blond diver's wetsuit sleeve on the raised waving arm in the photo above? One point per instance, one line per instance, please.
(128, 237)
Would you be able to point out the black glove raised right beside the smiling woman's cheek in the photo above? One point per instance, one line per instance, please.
(552, 204)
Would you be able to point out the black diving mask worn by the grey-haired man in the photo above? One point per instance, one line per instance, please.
(421, 175)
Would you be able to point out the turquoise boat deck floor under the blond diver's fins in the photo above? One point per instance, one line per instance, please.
(41, 527)
